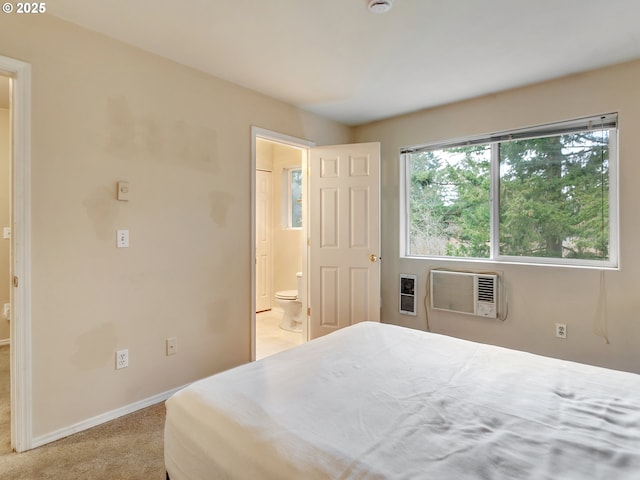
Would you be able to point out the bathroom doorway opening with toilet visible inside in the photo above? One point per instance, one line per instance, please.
(279, 239)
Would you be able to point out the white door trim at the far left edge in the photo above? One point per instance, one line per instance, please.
(21, 367)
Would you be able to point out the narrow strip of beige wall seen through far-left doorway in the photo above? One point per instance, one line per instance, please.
(5, 185)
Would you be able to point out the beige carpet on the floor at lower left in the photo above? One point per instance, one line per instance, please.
(130, 447)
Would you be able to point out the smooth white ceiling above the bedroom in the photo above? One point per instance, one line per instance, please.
(337, 59)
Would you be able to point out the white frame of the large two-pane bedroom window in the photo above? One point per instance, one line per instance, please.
(613, 262)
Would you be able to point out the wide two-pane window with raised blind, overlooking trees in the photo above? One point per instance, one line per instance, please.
(546, 194)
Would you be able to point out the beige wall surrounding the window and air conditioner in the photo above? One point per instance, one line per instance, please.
(538, 296)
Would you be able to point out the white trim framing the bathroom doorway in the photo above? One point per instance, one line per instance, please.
(257, 132)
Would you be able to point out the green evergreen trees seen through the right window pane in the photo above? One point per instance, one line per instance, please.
(554, 197)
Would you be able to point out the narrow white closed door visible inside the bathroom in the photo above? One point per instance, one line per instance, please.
(263, 240)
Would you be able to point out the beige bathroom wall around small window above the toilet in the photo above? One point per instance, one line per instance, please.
(287, 243)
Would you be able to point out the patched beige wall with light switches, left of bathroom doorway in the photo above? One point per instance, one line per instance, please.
(103, 112)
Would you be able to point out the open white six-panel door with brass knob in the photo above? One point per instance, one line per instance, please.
(344, 236)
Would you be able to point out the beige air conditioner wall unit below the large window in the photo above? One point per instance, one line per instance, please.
(463, 292)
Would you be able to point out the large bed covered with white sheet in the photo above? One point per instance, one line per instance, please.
(376, 401)
